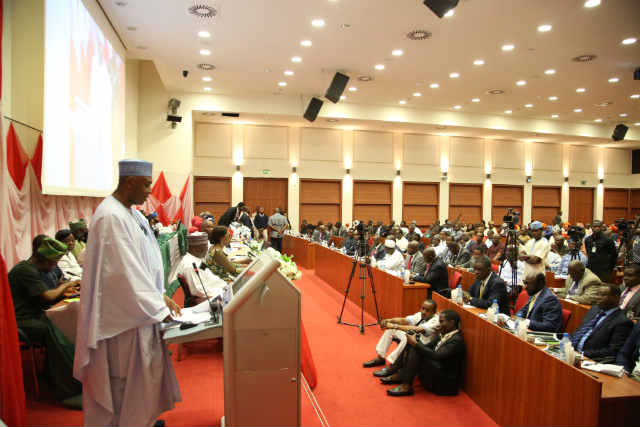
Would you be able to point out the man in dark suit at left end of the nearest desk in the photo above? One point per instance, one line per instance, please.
(487, 287)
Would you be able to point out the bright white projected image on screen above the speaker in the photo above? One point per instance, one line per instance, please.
(84, 102)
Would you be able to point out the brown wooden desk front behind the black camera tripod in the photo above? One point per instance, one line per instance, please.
(393, 296)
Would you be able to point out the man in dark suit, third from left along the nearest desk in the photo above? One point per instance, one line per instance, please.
(605, 328)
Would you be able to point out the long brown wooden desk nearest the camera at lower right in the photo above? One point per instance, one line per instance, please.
(516, 383)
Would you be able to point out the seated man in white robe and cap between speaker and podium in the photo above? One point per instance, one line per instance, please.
(196, 251)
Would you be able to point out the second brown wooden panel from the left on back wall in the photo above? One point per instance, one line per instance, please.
(268, 192)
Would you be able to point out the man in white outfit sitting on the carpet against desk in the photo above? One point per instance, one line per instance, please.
(424, 322)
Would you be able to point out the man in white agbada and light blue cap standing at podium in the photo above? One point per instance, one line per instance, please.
(120, 358)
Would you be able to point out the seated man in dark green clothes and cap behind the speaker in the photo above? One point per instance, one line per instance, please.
(31, 296)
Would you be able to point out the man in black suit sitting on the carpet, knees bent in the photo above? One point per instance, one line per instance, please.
(439, 365)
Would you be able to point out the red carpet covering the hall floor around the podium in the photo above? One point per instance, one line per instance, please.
(346, 393)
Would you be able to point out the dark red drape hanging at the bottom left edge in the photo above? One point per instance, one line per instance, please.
(12, 400)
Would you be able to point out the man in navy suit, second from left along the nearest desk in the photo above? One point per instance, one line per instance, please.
(543, 311)
